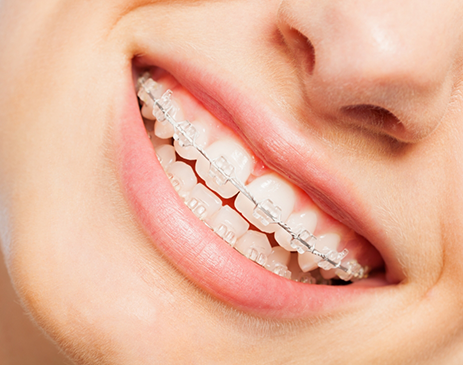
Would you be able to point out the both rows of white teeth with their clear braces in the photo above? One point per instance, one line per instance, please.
(267, 202)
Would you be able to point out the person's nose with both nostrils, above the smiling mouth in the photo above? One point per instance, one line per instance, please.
(385, 66)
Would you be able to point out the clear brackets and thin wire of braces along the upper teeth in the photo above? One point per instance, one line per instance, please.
(266, 211)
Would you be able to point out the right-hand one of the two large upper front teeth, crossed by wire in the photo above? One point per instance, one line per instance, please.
(277, 196)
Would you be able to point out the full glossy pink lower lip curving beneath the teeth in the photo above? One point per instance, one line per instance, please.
(201, 255)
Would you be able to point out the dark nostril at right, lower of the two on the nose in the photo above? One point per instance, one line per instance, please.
(373, 116)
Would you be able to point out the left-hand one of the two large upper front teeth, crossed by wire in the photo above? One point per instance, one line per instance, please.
(233, 158)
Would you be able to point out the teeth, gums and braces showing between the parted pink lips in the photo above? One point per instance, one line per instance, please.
(252, 209)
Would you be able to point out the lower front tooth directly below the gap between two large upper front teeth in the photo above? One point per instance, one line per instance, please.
(229, 225)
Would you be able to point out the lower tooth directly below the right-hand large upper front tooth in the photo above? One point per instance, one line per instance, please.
(255, 246)
